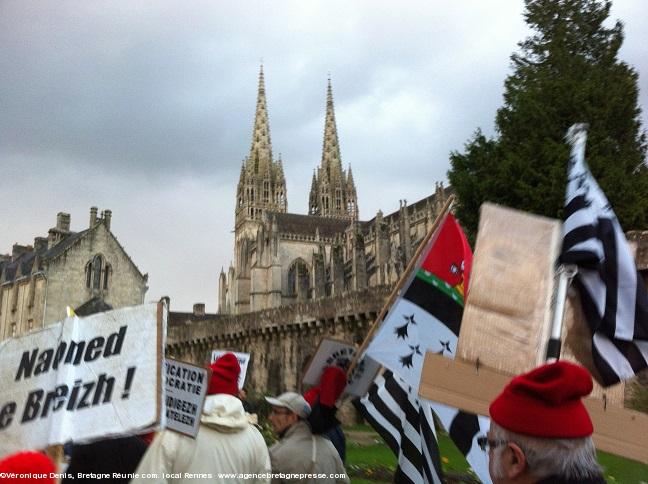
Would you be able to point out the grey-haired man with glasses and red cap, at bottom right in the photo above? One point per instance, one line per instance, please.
(540, 430)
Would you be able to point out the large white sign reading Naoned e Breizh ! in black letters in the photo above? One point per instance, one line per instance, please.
(82, 379)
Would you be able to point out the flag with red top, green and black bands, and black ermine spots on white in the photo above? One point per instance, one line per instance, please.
(427, 315)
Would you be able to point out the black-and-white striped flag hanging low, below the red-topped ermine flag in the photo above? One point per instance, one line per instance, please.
(407, 427)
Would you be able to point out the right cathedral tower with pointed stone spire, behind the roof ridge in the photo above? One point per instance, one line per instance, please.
(333, 192)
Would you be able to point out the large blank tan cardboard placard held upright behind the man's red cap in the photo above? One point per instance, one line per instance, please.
(507, 317)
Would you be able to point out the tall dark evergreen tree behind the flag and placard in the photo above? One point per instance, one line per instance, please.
(566, 72)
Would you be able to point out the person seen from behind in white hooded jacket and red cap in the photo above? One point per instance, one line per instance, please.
(227, 446)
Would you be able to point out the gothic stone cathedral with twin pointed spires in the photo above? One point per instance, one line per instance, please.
(281, 258)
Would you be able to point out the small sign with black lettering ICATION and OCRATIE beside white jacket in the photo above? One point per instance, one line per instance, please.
(186, 388)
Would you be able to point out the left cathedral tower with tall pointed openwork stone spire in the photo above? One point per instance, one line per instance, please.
(261, 188)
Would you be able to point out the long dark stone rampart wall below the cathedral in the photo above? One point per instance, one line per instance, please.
(280, 340)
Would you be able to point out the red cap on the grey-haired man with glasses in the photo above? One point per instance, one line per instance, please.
(546, 402)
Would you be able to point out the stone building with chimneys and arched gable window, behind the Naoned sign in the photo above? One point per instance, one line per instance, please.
(66, 268)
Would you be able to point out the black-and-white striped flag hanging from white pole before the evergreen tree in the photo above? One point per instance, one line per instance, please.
(613, 295)
